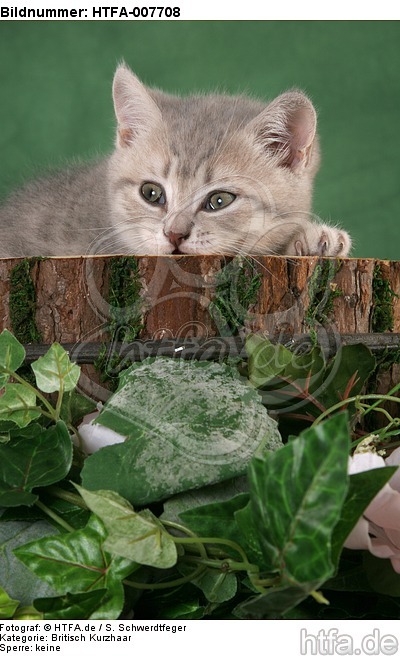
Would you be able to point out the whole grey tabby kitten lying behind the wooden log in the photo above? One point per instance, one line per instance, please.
(202, 174)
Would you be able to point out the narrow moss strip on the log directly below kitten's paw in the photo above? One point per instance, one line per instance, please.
(322, 291)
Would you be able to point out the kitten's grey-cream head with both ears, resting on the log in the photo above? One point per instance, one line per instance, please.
(208, 173)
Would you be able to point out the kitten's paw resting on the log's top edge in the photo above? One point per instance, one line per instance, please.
(321, 240)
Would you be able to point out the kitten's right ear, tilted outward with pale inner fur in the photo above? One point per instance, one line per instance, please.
(286, 129)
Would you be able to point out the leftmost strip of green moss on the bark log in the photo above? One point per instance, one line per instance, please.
(22, 303)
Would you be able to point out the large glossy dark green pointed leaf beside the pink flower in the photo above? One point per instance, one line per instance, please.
(297, 494)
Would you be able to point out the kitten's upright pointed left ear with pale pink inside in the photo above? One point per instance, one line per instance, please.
(135, 110)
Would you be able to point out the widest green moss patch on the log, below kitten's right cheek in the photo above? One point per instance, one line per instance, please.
(237, 286)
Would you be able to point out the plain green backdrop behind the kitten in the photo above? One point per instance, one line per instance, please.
(56, 98)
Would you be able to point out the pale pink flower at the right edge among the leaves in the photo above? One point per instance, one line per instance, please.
(379, 528)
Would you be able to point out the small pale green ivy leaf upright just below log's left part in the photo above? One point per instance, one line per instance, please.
(55, 371)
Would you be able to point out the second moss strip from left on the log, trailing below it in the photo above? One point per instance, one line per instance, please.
(125, 321)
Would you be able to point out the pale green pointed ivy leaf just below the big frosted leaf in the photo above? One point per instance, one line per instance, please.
(138, 536)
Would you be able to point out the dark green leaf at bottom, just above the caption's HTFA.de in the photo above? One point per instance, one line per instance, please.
(71, 606)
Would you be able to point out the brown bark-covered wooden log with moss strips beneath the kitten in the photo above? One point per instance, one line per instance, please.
(87, 300)
